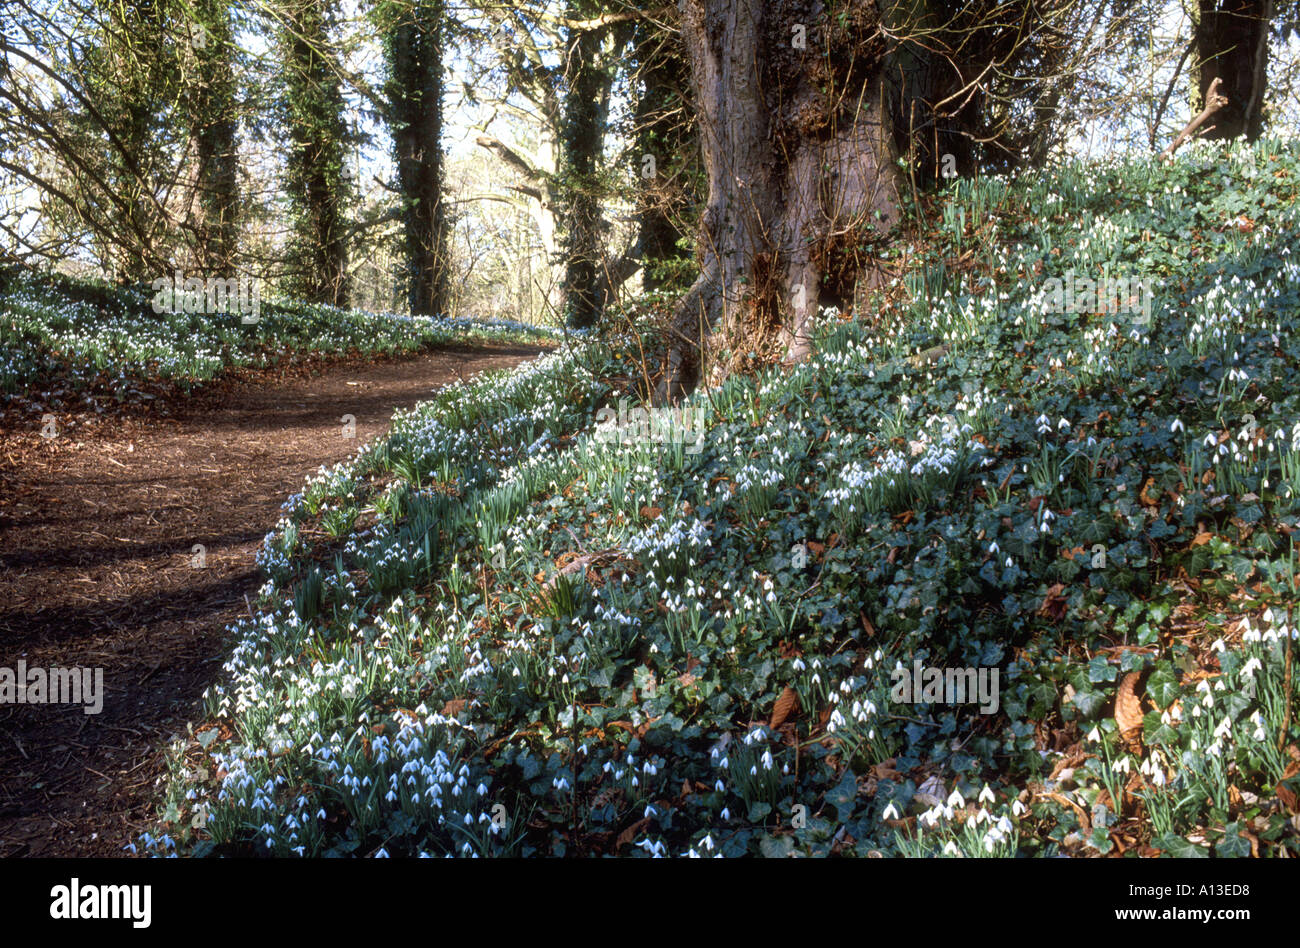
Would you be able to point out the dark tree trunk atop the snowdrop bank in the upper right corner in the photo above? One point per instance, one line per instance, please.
(1233, 46)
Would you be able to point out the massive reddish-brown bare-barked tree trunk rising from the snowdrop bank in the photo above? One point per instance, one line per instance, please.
(800, 163)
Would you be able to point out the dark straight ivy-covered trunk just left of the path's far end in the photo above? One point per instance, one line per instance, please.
(414, 49)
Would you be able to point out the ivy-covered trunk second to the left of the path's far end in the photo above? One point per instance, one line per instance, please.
(317, 178)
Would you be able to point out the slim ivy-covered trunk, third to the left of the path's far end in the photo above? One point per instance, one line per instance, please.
(216, 123)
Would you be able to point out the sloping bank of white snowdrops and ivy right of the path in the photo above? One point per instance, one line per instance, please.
(621, 646)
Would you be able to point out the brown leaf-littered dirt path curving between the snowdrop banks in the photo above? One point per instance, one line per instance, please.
(97, 531)
